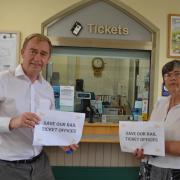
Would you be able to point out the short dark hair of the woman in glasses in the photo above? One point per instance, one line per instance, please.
(170, 66)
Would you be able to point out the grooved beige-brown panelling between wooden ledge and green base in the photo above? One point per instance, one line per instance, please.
(92, 155)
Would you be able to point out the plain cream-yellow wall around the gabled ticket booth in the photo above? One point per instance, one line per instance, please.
(27, 16)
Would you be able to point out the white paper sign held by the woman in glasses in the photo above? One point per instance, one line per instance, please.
(146, 135)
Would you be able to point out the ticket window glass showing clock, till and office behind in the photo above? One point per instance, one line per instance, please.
(111, 91)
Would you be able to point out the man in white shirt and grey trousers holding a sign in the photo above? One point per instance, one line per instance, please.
(22, 92)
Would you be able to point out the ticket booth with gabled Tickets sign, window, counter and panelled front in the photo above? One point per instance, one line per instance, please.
(114, 71)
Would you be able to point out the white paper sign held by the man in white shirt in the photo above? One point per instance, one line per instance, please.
(58, 128)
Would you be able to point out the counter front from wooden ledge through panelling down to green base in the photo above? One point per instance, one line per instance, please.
(98, 157)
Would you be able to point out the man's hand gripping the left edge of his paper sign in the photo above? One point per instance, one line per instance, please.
(27, 120)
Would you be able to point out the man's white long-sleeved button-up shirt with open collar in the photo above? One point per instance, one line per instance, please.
(18, 95)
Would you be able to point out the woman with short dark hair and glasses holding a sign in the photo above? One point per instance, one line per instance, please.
(167, 109)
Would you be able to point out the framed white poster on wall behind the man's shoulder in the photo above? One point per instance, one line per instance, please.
(9, 50)
